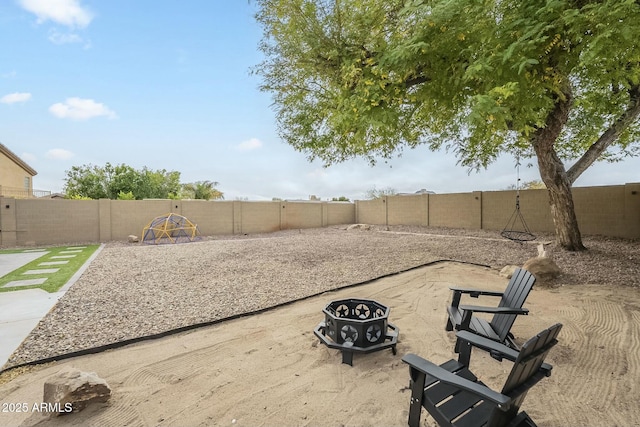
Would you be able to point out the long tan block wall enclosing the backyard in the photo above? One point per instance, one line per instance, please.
(605, 210)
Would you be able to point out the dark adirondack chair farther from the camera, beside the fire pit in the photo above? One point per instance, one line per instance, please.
(504, 315)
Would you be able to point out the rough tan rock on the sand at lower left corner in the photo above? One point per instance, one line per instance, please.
(71, 390)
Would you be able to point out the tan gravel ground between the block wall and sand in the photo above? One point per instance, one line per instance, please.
(133, 290)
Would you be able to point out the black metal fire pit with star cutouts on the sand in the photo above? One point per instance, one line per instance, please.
(357, 325)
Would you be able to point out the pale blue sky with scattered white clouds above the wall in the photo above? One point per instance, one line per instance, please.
(166, 85)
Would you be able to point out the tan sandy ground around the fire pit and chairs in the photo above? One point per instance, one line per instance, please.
(270, 370)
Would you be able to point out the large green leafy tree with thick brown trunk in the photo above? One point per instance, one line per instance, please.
(552, 79)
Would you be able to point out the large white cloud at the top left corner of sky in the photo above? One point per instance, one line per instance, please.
(66, 12)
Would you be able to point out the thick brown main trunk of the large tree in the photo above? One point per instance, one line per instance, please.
(555, 177)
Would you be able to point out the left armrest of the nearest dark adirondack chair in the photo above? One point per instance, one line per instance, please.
(433, 370)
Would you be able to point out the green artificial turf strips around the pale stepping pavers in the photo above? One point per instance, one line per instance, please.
(54, 280)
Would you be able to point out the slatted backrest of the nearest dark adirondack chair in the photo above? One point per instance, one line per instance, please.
(525, 368)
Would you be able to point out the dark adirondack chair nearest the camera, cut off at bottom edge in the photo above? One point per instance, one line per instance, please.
(454, 396)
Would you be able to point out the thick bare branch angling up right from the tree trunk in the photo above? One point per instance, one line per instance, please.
(608, 137)
